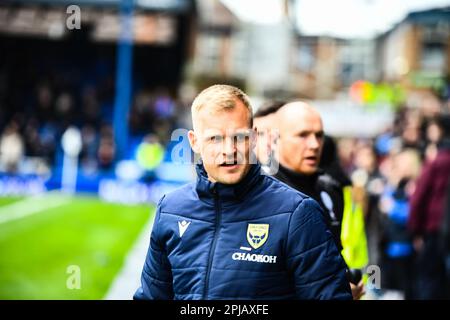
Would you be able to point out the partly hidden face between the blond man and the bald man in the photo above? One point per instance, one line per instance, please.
(265, 143)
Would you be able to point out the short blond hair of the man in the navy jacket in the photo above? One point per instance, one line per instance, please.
(220, 97)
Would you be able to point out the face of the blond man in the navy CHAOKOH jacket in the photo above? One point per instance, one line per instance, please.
(224, 140)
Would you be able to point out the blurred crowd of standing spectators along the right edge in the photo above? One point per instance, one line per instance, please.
(388, 167)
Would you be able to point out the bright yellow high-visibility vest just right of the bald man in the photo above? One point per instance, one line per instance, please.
(353, 233)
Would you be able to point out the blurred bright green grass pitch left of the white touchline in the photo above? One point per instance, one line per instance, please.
(36, 251)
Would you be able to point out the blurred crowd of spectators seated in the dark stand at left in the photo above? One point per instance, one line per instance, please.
(33, 118)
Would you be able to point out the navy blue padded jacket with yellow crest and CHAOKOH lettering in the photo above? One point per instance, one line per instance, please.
(258, 239)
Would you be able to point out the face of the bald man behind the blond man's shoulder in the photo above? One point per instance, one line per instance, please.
(301, 141)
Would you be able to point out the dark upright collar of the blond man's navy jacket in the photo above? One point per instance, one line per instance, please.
(227, 192)
